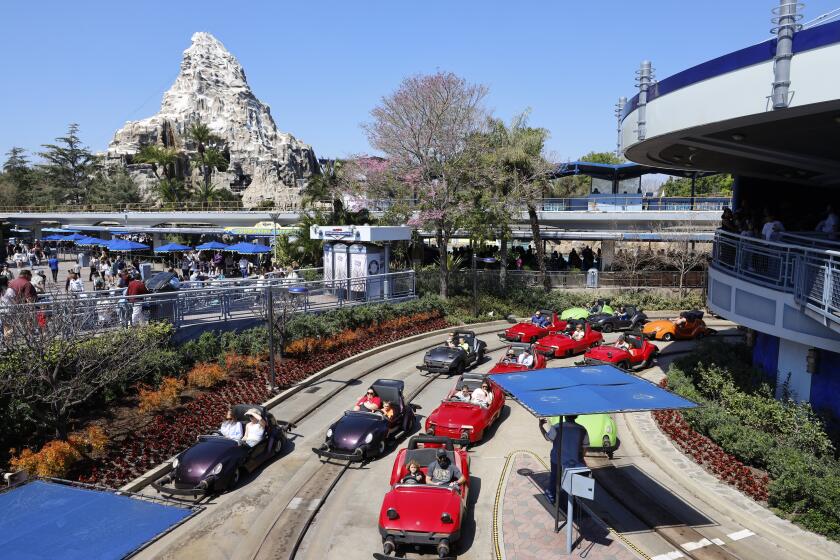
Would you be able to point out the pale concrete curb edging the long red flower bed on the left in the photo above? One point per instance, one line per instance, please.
(156, 472)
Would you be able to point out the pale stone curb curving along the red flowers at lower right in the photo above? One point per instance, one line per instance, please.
(719, 503)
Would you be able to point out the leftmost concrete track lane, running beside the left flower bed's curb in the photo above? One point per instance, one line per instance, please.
(233, 523)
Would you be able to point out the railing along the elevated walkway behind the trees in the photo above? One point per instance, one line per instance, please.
(603, 203)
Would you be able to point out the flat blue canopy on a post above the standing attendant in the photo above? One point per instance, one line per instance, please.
(586, 390)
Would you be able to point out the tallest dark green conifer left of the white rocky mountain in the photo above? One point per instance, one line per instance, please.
(69, 167)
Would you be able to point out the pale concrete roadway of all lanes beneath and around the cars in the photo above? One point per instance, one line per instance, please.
(235, 524)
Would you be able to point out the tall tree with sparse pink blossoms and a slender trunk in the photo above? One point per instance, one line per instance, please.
(423, 128)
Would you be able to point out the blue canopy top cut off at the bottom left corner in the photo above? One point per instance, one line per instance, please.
(48, 520)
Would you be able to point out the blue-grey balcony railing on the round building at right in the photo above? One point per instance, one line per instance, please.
(810, 273)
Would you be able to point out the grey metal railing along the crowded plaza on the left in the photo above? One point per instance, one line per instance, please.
(222, 301)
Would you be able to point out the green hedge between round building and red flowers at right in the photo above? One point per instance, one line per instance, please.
(783, 437)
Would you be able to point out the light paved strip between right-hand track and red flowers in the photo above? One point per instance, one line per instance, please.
(723, 497)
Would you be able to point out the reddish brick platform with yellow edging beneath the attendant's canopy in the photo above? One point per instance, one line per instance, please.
(524, 523)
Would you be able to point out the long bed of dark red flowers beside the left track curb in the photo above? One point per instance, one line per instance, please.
(173, 430)
